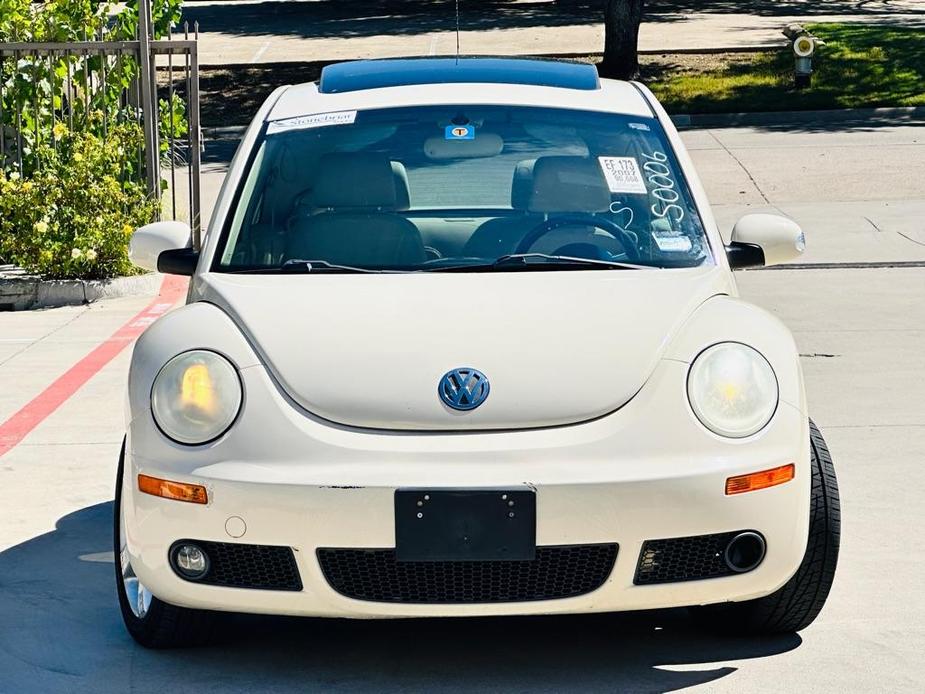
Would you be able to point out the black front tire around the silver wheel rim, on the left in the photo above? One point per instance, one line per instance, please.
(164, 626)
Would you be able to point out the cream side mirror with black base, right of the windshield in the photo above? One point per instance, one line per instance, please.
(759, 240)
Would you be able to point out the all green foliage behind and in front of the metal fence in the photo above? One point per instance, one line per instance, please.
(70, 200)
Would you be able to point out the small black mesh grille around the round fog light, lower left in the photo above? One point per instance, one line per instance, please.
(259, 567)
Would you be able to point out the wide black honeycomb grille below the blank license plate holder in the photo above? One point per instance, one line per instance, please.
(557, 572)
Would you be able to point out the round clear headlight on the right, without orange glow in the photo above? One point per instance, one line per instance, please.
(732, 389)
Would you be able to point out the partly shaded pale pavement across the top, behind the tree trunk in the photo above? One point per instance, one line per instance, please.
(272, 31)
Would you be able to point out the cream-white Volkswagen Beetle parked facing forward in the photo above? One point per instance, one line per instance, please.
(463, 339)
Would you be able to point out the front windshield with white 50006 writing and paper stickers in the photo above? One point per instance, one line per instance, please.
(462, 188)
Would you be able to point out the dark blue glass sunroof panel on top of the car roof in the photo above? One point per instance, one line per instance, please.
(373, 74)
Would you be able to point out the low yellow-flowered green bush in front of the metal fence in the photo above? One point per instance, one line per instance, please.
(72, 218)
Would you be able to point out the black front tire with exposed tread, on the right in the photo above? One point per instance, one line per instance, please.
(798, 602)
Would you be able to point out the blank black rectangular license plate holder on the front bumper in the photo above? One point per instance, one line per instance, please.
(465, 525)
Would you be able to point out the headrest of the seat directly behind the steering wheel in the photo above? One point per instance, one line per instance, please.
(568, 184)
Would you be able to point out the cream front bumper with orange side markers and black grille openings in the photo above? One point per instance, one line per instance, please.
(625, 478)
